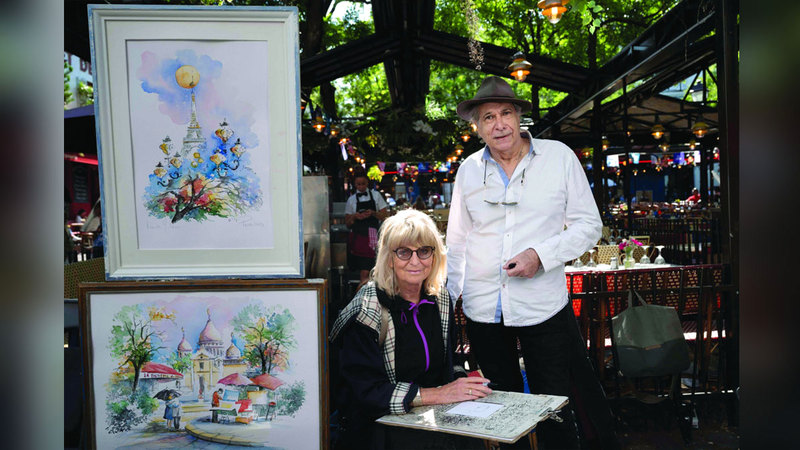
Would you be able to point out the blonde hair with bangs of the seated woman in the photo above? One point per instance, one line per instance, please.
(410, 228)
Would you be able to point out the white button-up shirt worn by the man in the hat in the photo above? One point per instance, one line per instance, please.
(555, 215)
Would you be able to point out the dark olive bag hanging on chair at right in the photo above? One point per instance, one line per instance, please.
(649, 340)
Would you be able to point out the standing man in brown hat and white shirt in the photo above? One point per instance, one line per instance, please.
(521, 208)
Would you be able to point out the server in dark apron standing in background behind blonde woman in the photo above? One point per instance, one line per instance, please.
(363, 213)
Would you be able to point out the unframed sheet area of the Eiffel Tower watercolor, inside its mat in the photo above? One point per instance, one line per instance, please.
(200, 138)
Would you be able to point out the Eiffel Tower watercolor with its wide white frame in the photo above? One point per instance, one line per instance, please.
(198, 129)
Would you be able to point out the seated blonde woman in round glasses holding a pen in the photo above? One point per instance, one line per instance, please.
(395, 341)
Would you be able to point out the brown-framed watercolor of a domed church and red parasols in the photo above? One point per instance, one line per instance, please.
(210, 363)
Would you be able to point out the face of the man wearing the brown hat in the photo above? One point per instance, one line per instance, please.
(498, 126)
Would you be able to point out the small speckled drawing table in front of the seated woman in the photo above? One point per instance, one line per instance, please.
(517, 416)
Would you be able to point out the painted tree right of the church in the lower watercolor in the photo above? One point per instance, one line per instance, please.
(268, 335)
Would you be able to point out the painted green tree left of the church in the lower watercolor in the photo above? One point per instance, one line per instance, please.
(133, 339)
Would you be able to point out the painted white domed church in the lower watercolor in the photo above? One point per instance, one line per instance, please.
(211, 360)
